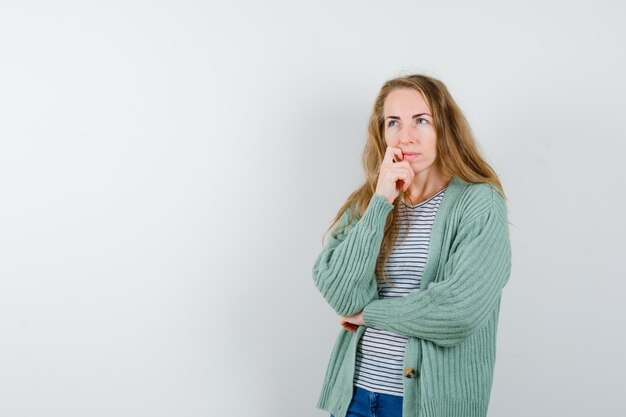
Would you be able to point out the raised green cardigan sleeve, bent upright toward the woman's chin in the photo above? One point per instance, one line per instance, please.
(344, 271)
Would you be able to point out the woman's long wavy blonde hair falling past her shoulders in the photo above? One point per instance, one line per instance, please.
(458, 154)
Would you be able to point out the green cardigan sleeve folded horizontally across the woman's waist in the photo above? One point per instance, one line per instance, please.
(466, 289)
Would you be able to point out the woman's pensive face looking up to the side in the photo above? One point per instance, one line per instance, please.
(409, 126)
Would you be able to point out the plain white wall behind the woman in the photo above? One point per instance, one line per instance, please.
(168, 168)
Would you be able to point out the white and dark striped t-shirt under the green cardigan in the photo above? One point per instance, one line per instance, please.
(380, 353)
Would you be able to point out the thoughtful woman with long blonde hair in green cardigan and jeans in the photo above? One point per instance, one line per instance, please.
(416, 265)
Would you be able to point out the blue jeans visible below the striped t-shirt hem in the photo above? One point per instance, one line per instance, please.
(373, 404)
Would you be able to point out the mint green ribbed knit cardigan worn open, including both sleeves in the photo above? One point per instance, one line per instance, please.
(451, 322)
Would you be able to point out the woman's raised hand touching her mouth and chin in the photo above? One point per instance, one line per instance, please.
(395, 174)
